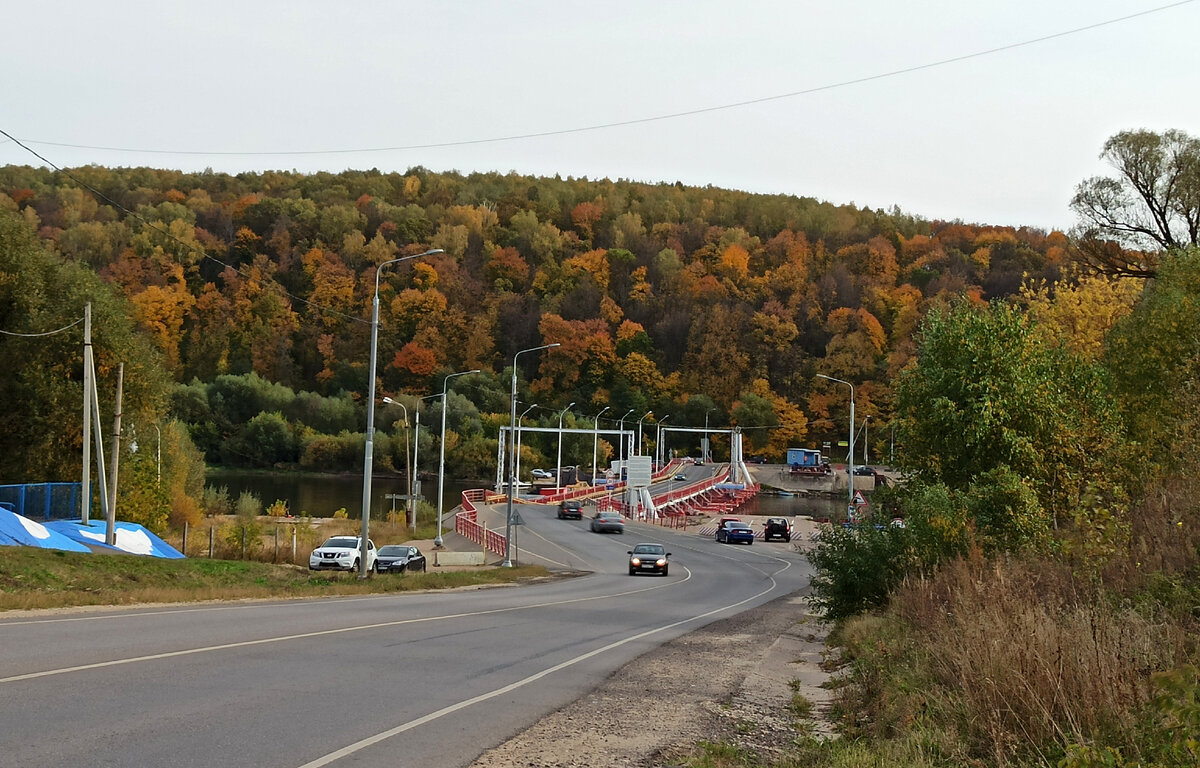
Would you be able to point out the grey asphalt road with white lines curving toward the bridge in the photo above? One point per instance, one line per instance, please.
(416, 680)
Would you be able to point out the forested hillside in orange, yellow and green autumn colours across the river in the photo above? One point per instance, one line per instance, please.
(689, 302)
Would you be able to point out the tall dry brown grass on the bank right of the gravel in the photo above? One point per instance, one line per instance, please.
(1028, 657)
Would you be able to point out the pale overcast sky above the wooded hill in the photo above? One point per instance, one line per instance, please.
(999, 139)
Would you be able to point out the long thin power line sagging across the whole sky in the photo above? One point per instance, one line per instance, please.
(674, 116)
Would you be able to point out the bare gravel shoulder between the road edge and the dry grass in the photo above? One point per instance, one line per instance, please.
(730, 681)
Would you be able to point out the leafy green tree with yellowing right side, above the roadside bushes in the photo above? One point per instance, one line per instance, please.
(989, 393)
